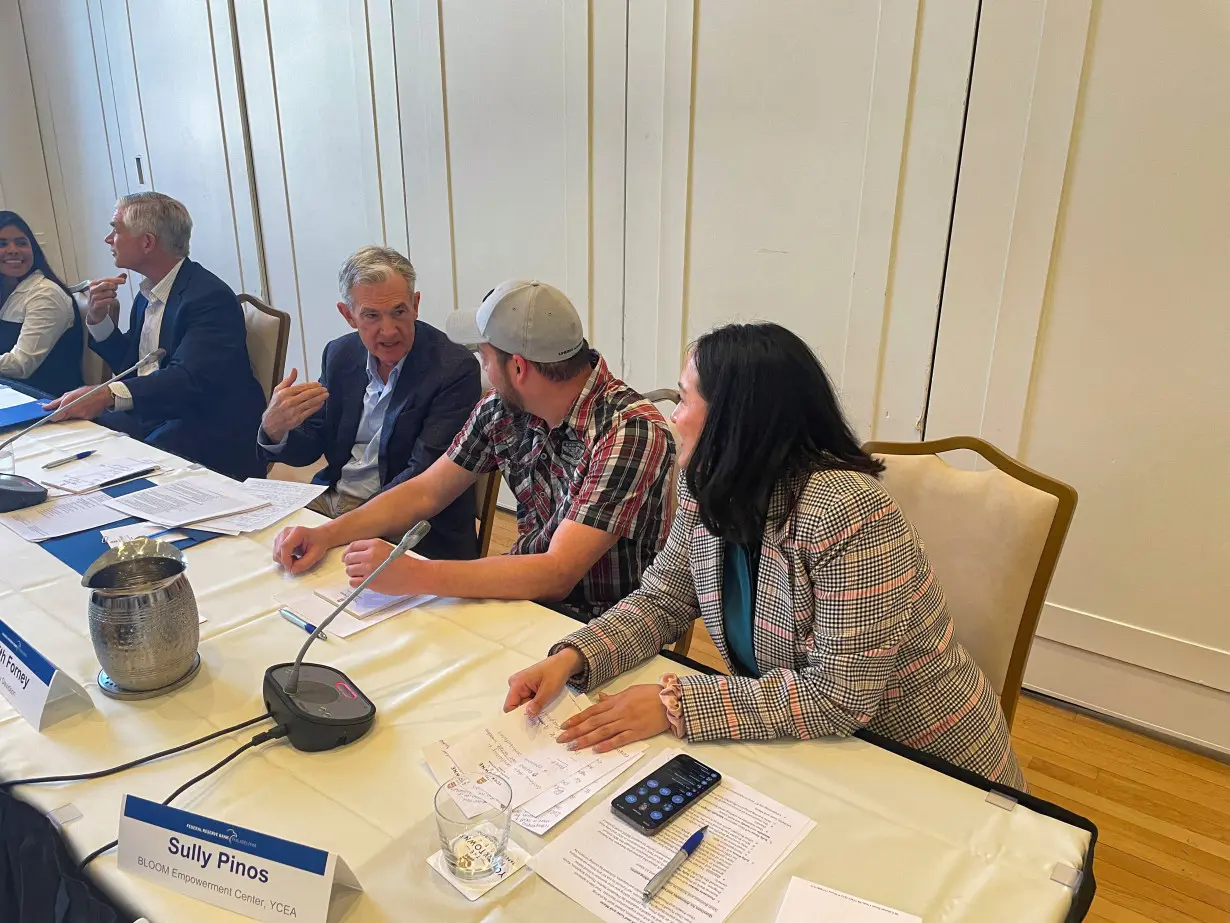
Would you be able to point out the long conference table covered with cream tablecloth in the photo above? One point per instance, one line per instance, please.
(889, 829)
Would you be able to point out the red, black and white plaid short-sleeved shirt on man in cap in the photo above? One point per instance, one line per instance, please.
(606, 466)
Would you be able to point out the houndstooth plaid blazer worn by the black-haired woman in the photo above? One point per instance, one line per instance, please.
(851, 631)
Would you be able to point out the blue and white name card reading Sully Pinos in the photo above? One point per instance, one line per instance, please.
(261, 877)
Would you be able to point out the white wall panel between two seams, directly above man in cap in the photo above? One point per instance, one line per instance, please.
(514, 142)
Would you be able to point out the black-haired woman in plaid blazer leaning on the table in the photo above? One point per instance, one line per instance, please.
(809, 577)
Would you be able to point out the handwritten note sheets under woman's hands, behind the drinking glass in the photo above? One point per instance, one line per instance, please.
(548, 780)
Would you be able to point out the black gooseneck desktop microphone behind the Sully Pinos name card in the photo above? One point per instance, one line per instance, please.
(319, 706)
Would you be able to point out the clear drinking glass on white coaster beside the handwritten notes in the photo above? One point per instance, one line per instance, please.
(474, 847)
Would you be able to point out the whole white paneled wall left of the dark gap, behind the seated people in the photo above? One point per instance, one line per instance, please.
(671, 164)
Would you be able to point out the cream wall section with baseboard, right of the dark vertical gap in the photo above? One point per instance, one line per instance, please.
(1085, 332)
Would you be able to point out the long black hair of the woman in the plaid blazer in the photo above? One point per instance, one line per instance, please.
(773, 418)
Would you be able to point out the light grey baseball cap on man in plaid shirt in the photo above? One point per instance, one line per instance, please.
(530, 319)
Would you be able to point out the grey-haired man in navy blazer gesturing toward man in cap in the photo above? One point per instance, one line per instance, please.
(392, 397)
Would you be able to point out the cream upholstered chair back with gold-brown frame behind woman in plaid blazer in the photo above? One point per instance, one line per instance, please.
(993, 538)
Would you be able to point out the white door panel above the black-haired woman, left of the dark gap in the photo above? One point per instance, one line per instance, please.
(796, 166)
